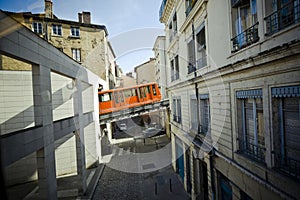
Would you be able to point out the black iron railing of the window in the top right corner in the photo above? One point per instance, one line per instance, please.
(288, 15)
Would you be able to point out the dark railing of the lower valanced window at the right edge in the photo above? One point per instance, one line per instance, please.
(288, 166)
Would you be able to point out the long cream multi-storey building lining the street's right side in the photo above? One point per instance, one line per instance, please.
(234, 95)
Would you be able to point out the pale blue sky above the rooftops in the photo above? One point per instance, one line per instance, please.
(132, 25)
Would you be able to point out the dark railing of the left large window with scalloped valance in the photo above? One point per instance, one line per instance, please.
(252, 150)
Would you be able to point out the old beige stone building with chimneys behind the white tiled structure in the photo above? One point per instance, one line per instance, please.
(83, 41)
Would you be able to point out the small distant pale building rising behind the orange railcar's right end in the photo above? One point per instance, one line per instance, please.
(145, 73)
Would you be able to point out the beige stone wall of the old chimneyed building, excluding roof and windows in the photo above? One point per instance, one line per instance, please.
(92, 43)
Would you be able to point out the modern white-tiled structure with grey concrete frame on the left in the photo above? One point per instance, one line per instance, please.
(48, 123)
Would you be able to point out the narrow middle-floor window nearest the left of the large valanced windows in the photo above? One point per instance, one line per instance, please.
(204, 113)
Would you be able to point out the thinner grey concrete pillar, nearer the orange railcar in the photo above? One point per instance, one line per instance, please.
(79, 134)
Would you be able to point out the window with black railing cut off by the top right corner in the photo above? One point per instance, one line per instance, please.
(283, 14)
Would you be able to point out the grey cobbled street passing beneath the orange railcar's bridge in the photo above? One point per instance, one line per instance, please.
(136, 171)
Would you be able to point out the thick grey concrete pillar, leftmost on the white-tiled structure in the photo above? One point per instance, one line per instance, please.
(44, 117)
